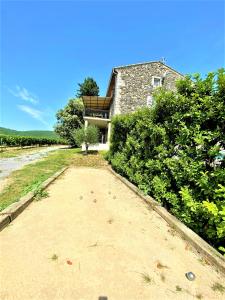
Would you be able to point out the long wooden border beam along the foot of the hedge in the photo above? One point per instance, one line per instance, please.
(202, 247)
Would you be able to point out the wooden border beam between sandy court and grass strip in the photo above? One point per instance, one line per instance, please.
(13, 210)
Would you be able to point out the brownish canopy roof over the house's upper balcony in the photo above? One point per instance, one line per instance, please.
(95, 102)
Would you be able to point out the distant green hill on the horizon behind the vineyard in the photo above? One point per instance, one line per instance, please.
(34, 133)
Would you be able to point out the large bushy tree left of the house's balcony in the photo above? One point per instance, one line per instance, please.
(68, 119)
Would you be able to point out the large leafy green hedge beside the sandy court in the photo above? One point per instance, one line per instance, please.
(174, 152)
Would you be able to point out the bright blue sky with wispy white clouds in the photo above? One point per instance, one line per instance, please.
(48, 47)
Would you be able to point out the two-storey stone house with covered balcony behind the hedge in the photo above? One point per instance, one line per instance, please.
(130, 87)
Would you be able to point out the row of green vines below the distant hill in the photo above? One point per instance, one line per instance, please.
(22, 141)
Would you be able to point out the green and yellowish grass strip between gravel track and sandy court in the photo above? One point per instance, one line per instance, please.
(31, 176)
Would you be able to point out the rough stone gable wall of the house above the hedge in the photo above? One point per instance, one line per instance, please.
(134, 85)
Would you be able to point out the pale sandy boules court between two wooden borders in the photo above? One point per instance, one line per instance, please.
(94, 237)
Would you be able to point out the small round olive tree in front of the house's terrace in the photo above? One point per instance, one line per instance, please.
(89, 135)
